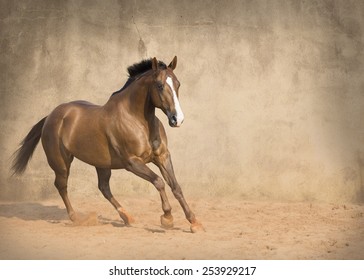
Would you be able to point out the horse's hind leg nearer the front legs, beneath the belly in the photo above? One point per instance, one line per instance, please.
(104, 186)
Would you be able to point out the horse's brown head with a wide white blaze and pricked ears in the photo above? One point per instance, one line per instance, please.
(165, 92)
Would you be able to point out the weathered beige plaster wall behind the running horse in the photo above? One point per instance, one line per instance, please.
(272, 91)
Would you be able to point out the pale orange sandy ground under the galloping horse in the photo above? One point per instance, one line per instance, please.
(234, 230)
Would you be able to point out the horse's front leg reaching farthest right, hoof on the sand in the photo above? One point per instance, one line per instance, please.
(165, 165)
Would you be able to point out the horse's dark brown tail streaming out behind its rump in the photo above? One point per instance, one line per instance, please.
(22, 156)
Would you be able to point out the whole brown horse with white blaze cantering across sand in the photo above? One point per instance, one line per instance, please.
(122, 134)
